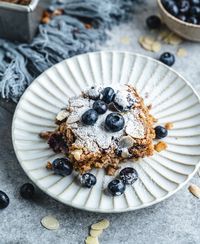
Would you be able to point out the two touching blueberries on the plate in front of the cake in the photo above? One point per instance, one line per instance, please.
(127, 176)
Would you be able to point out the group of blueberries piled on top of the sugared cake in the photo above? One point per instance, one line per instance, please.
(114, 121)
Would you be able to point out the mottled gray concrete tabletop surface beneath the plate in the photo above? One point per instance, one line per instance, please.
(174, 221)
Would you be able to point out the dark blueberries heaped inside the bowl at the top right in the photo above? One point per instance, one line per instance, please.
(185, 10)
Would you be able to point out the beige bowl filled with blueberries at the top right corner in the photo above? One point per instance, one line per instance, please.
(182, 17)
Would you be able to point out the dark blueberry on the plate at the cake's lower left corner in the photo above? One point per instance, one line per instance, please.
(62, 166)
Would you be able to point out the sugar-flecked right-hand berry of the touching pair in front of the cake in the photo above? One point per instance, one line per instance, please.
(128, 175)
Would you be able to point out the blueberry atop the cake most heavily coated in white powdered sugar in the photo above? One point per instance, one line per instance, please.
(123, 101)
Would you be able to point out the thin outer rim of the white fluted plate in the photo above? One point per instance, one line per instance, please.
(97, 210)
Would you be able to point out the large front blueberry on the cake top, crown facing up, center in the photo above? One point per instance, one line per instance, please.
(114, 122)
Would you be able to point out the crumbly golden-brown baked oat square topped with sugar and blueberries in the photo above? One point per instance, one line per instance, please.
(103, 127)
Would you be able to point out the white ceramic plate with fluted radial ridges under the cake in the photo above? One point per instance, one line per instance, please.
(173, 100)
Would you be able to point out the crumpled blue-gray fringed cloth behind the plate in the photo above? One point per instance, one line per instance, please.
(63, 37)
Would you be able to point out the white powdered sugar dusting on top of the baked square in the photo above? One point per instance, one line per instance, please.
(96, 137)
